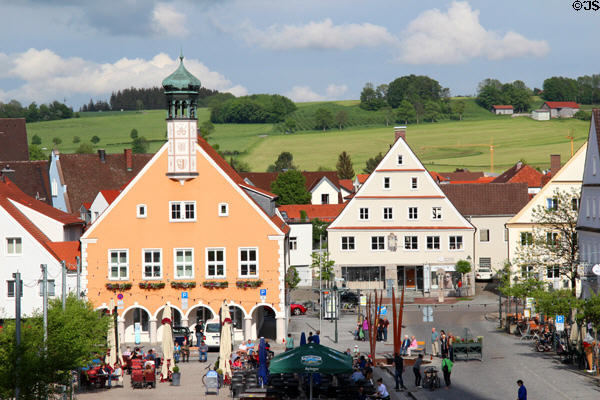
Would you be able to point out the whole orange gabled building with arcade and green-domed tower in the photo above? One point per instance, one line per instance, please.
(188, 231)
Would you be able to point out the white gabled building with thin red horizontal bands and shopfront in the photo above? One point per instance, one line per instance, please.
(400, 229)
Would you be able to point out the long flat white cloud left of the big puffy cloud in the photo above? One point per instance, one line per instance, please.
(318, 35)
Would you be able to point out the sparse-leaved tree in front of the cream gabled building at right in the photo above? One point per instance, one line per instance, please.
(552, 245)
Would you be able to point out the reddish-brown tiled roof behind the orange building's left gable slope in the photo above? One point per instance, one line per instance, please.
(85, 175)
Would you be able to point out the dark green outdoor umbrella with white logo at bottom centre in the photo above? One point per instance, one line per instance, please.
(311, 358)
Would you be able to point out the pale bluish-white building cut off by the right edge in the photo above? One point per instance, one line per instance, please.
(588, 223)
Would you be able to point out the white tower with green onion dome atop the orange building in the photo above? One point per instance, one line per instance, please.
(181, 89)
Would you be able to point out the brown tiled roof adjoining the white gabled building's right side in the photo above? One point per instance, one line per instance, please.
(487, 199)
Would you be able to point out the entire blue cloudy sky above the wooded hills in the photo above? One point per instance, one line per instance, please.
(308, 50)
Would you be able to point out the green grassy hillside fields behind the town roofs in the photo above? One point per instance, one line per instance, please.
(441, 146)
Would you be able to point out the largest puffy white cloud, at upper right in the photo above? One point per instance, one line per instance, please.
(456, 36)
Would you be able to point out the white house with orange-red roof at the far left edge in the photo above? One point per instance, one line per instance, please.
(34, 233)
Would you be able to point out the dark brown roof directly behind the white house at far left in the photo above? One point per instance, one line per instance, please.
(31, 177)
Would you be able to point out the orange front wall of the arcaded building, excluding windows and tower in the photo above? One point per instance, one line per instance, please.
(121, 229)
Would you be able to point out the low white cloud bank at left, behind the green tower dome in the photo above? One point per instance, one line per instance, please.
(47, 76)
